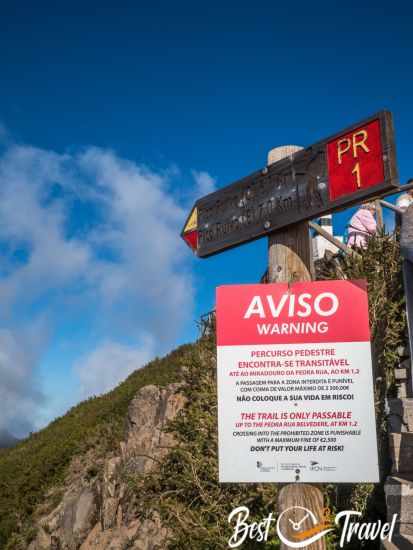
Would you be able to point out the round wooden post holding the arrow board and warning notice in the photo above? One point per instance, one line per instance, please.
(290, 260)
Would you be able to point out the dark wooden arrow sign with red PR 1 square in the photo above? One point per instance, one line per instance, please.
(354, 165)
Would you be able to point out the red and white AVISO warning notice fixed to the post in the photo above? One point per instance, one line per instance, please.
(295, 390)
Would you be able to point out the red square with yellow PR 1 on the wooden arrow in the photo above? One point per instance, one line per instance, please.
(355, 160)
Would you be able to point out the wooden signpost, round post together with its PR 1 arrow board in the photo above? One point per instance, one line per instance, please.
(352, 166)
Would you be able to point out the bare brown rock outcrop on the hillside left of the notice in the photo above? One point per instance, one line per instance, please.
(95, 515)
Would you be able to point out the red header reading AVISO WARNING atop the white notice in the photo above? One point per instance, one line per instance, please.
(311, 312)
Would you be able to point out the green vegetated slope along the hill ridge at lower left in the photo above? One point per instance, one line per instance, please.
(34, 466)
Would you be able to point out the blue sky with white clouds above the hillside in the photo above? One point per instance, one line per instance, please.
(114, 118)
